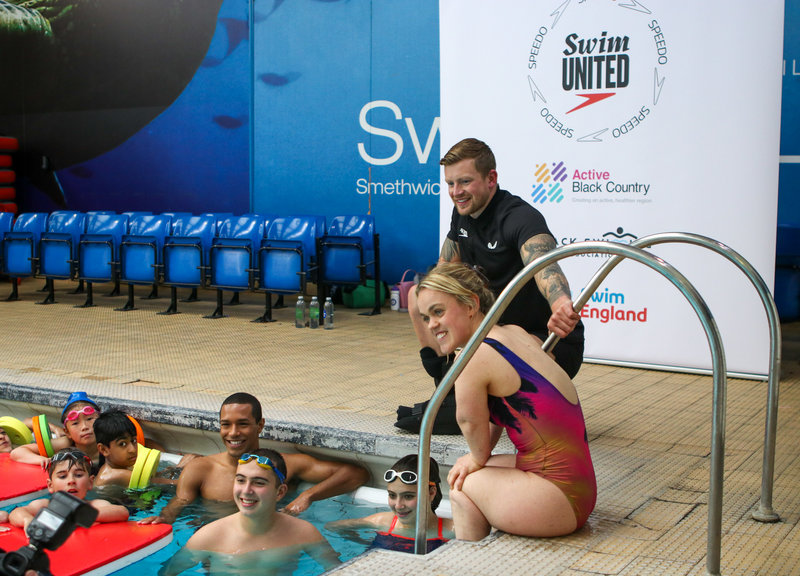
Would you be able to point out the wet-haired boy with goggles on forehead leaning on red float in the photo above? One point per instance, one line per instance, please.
(69, 470)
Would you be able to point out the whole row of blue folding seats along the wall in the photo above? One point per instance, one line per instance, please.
(271, 254)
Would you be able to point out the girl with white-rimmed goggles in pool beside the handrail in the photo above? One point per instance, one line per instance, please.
(396, 529)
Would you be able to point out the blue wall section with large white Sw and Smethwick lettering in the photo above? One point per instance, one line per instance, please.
(347, 95)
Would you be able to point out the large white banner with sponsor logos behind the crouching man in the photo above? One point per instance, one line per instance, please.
(621, 119)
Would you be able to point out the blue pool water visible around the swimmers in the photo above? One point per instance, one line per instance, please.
(151, 501)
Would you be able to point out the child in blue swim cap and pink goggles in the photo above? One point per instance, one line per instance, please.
(78, 418)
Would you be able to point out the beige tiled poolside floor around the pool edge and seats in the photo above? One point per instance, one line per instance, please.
(649, 430)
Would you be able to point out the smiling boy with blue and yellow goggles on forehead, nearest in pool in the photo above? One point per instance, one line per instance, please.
(257, 538)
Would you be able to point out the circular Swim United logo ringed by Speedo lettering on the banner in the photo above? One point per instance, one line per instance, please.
(596, 68)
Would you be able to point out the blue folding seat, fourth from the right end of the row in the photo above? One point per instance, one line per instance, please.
(186, 254)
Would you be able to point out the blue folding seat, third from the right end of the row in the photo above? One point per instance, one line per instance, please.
(233, 255)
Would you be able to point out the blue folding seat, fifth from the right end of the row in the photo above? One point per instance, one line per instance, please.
(140, 253)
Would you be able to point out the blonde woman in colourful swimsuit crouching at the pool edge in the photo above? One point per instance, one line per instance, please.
(548, 488)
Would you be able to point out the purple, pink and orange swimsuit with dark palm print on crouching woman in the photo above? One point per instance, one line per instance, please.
(549, 433)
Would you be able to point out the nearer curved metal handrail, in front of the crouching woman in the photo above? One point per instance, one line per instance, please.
(511, 290)
